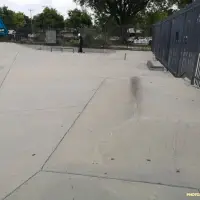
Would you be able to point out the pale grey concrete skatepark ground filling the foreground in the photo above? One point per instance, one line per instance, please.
(95, 126)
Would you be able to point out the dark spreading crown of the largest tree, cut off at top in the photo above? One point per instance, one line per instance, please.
(122, 11)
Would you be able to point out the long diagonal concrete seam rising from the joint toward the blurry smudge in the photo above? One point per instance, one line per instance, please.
(102, 82)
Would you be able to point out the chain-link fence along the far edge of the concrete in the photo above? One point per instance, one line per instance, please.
(122, 37)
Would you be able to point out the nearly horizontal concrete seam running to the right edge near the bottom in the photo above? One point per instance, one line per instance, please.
(119, 179)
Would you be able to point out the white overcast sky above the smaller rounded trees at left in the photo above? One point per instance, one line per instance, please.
(37, 5)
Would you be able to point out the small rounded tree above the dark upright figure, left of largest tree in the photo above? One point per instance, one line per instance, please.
(78, 19)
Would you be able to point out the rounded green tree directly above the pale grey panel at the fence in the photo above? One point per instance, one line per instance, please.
(49, 18)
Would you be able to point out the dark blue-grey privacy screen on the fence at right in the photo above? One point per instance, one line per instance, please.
(176, 42)
